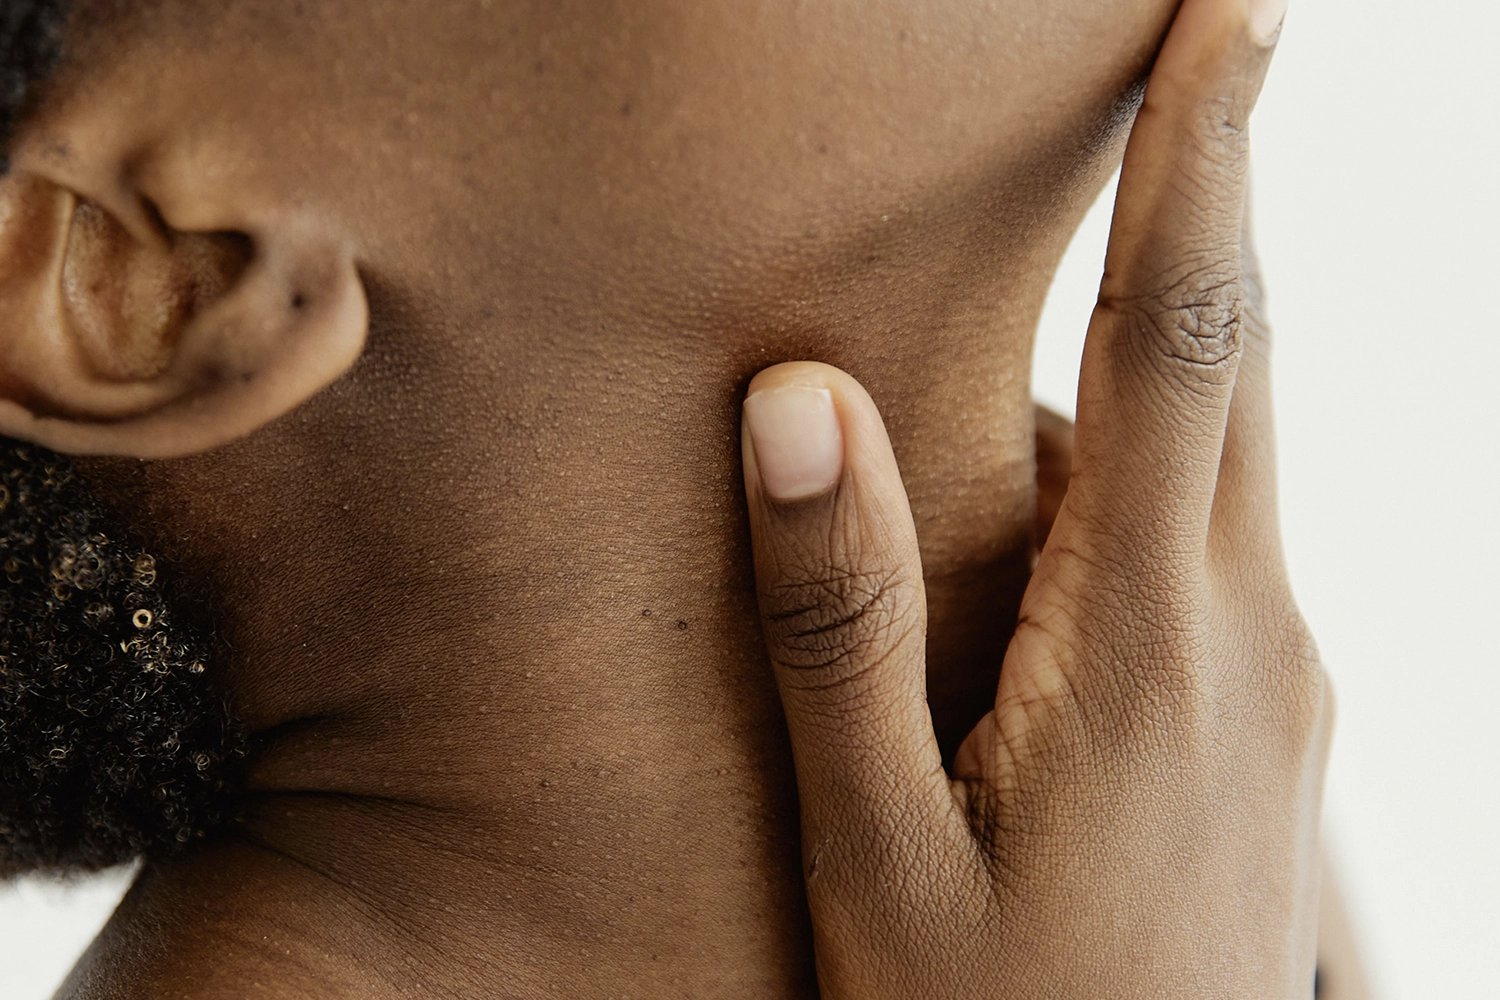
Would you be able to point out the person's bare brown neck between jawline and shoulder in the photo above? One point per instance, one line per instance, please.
(494, 633)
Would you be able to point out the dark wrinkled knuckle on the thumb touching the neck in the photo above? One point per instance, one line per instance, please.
(833, 626)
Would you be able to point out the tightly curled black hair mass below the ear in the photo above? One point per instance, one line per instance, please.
(115, 740)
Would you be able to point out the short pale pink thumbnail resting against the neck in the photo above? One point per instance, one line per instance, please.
(797, 440)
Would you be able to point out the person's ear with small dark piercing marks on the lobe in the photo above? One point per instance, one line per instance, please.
(124, 335)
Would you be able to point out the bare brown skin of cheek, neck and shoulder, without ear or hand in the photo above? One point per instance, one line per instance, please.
(490, 597)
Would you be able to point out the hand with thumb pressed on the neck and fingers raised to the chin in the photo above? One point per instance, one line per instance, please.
(1138, 818)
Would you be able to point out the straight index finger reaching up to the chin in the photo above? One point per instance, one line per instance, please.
(1165, 340)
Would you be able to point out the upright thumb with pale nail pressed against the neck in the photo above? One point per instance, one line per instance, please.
(842, 605)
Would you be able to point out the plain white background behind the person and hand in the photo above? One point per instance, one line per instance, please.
(1378, 202)
